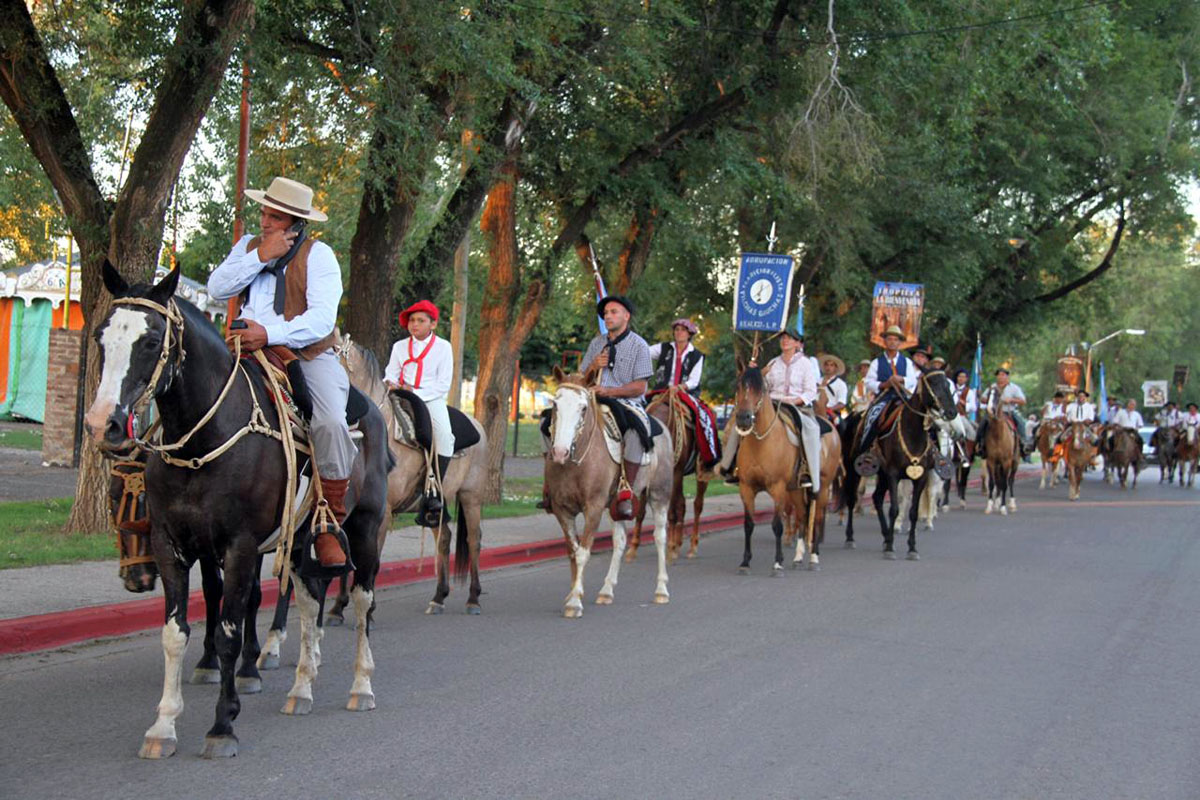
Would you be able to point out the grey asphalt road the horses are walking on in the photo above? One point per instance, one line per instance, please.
(1048, 654)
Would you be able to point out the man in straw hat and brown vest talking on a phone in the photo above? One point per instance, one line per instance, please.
(291, 286)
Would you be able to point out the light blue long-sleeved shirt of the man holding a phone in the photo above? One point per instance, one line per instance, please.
(244, 269)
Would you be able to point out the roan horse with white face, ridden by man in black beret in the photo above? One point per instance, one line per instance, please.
(583, 478)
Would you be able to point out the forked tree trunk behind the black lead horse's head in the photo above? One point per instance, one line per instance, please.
(130, 233)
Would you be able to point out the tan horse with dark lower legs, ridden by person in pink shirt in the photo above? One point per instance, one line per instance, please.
(767, 461)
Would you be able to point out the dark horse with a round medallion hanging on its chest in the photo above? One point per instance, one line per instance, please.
(905, 452)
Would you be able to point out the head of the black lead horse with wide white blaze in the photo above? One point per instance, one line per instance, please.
(131, 344)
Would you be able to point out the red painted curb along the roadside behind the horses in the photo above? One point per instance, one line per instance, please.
(59, 629)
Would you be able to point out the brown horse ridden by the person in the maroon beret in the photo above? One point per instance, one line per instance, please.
(677, 418)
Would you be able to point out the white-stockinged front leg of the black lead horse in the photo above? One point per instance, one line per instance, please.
(160, 739)
